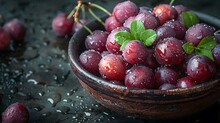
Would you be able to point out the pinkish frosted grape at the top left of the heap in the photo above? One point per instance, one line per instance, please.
(122, 11)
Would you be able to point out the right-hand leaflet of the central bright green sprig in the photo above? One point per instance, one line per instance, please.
(148, 36)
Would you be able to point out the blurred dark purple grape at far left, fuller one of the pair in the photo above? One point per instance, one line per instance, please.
(16, 29)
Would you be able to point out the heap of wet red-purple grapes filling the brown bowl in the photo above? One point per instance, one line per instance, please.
(164, 65)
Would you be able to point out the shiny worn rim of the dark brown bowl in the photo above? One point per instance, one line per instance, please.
(73, 58)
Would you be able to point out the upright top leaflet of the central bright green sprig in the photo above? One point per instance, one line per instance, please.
(136, 28)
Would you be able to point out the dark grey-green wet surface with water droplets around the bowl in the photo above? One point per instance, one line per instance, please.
(37, 73)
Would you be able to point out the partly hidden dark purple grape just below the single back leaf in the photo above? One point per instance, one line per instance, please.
(179, 28)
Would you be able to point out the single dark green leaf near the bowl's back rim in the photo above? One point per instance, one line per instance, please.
(189, 19)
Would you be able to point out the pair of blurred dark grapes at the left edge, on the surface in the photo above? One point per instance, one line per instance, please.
(13, 30)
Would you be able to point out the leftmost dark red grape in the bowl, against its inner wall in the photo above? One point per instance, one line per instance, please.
(90, 59)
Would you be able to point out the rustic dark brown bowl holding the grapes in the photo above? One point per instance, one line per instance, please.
(143, 103)
